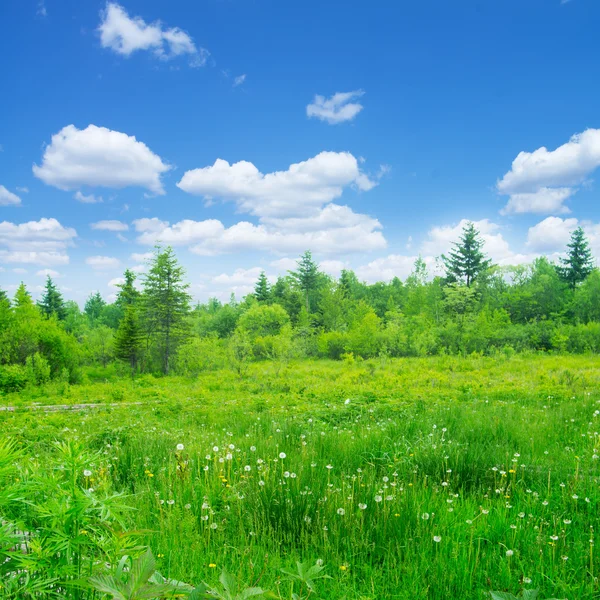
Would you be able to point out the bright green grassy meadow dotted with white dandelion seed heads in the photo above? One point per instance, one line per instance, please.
(435, 478)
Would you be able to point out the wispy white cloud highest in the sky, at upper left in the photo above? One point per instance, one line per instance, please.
(124, 35)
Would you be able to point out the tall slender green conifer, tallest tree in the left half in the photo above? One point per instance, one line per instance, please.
(166, 303)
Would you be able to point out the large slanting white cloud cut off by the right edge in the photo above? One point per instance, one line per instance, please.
(541, 180)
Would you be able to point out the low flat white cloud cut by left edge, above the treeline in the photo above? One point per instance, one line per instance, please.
(42, 242)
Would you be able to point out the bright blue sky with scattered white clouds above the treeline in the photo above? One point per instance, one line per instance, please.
(243, 132)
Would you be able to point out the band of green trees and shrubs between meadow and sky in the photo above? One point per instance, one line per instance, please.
(476, 307)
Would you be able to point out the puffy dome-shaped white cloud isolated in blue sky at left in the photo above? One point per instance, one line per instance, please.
(96, 156)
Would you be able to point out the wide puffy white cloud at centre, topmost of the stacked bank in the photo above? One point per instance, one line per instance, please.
(304, 186)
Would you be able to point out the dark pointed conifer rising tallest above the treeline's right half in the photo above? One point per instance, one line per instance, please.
(467, 260)
